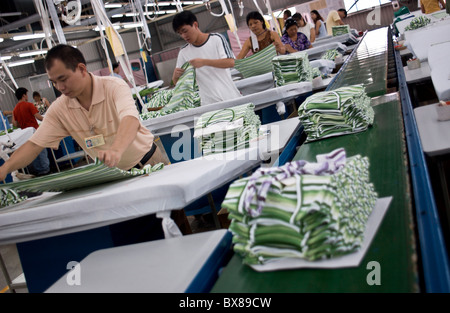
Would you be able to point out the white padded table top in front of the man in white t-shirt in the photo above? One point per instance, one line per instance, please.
(165, 124)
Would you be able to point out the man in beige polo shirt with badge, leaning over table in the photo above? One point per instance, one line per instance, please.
(94, 110)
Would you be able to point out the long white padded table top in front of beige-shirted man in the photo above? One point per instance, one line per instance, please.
(172, 188)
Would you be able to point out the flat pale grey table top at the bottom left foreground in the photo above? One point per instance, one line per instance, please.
(160, 266)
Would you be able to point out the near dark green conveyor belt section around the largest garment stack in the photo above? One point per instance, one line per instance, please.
(393, 246)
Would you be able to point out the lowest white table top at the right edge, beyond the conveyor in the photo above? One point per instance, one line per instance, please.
(434, 134)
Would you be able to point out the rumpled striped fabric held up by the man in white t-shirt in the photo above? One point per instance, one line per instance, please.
(183, 96)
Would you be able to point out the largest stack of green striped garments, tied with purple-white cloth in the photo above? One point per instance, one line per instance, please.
(308, 211)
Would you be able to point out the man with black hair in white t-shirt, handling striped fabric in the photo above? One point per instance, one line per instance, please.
(210, 55)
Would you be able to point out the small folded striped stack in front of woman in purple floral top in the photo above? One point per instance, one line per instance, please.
(292, 68)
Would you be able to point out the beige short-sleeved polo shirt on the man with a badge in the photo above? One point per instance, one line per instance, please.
(111, 102)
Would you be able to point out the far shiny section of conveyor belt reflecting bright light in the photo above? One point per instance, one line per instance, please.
(367, 64)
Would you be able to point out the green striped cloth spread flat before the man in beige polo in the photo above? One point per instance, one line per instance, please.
(85, 176)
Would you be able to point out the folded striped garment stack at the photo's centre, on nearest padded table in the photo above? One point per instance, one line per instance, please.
(227, 129)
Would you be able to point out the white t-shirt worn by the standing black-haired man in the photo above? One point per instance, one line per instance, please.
(214, 84)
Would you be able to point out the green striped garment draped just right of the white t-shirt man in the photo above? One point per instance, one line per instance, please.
(256, 64)
